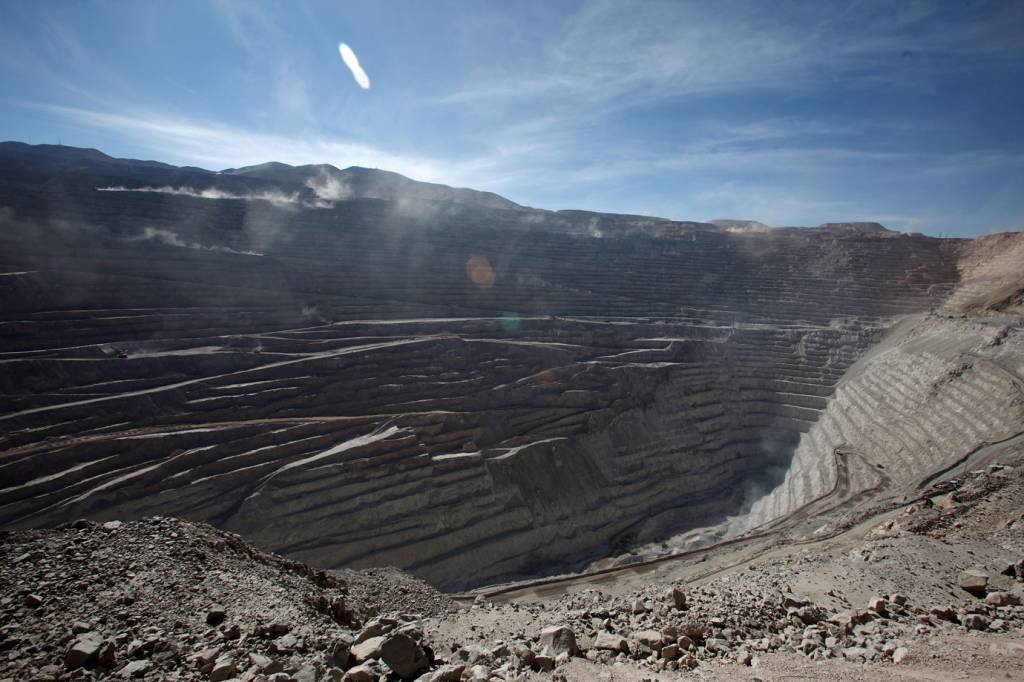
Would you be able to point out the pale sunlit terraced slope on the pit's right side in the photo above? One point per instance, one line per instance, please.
(938, 389)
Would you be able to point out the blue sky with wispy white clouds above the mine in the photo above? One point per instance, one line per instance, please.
(907, 113)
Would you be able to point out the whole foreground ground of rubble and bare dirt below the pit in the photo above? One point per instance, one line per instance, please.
(932, 589)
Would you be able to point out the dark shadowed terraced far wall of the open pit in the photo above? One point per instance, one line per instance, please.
(671, 376)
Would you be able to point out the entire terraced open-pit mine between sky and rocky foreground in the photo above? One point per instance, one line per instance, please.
(352, 369)
